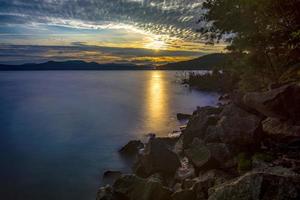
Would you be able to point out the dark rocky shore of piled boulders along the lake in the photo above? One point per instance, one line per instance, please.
(248, 149)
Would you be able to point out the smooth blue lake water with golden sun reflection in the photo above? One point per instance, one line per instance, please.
(59, 130)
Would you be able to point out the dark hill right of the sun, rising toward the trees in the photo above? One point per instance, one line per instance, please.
(206, 62)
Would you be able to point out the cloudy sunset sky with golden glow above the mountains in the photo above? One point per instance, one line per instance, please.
(144, 32)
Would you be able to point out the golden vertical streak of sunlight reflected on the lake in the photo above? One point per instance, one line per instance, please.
(157, 100)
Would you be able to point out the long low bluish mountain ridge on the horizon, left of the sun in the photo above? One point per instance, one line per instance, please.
(73, 65)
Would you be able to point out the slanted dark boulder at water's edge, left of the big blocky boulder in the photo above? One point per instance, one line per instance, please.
(200, 120)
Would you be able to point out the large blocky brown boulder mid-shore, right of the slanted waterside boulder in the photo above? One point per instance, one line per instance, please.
(239, 129)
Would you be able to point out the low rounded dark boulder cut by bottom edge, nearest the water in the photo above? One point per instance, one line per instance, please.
(135, 188)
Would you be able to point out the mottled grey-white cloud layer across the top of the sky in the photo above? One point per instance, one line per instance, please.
(175, 18)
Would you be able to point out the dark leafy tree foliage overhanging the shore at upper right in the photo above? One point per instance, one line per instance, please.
(263, 35)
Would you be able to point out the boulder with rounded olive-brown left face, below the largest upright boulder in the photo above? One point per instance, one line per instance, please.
(207, 156)
